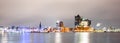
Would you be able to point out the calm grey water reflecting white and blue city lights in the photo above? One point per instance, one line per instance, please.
(71, 37)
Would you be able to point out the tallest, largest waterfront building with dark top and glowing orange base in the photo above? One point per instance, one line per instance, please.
(82, 24)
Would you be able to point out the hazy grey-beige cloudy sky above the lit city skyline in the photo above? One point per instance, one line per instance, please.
(31, 12)
